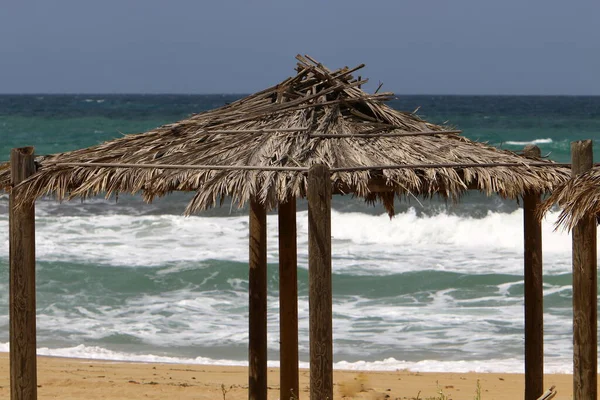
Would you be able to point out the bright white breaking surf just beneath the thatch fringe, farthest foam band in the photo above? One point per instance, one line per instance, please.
(362, 244)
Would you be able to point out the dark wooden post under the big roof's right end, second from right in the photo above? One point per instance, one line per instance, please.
(534, 297)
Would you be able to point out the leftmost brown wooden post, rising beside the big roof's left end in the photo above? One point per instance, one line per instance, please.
(23, 371)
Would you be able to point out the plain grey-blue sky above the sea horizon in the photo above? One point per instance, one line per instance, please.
(531, 47)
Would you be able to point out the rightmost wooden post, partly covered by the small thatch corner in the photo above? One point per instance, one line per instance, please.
(585, 325)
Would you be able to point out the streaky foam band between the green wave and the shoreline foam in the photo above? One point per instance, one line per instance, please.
(440, 326)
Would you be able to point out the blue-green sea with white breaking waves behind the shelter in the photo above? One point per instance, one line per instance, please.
(439, 287)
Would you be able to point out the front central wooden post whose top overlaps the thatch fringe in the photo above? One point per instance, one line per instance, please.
(319, 275)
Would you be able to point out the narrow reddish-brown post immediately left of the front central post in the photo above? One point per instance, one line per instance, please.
(288, 301)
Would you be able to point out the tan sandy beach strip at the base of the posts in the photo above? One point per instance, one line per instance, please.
(69, 379)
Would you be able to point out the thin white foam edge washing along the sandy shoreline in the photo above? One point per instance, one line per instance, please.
(509, 365)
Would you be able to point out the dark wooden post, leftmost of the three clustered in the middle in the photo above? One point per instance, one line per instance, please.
(257, 288)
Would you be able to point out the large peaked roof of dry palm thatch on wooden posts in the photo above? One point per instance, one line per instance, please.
(282, 126)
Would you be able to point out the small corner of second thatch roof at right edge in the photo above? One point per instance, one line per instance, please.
(578, 197)
